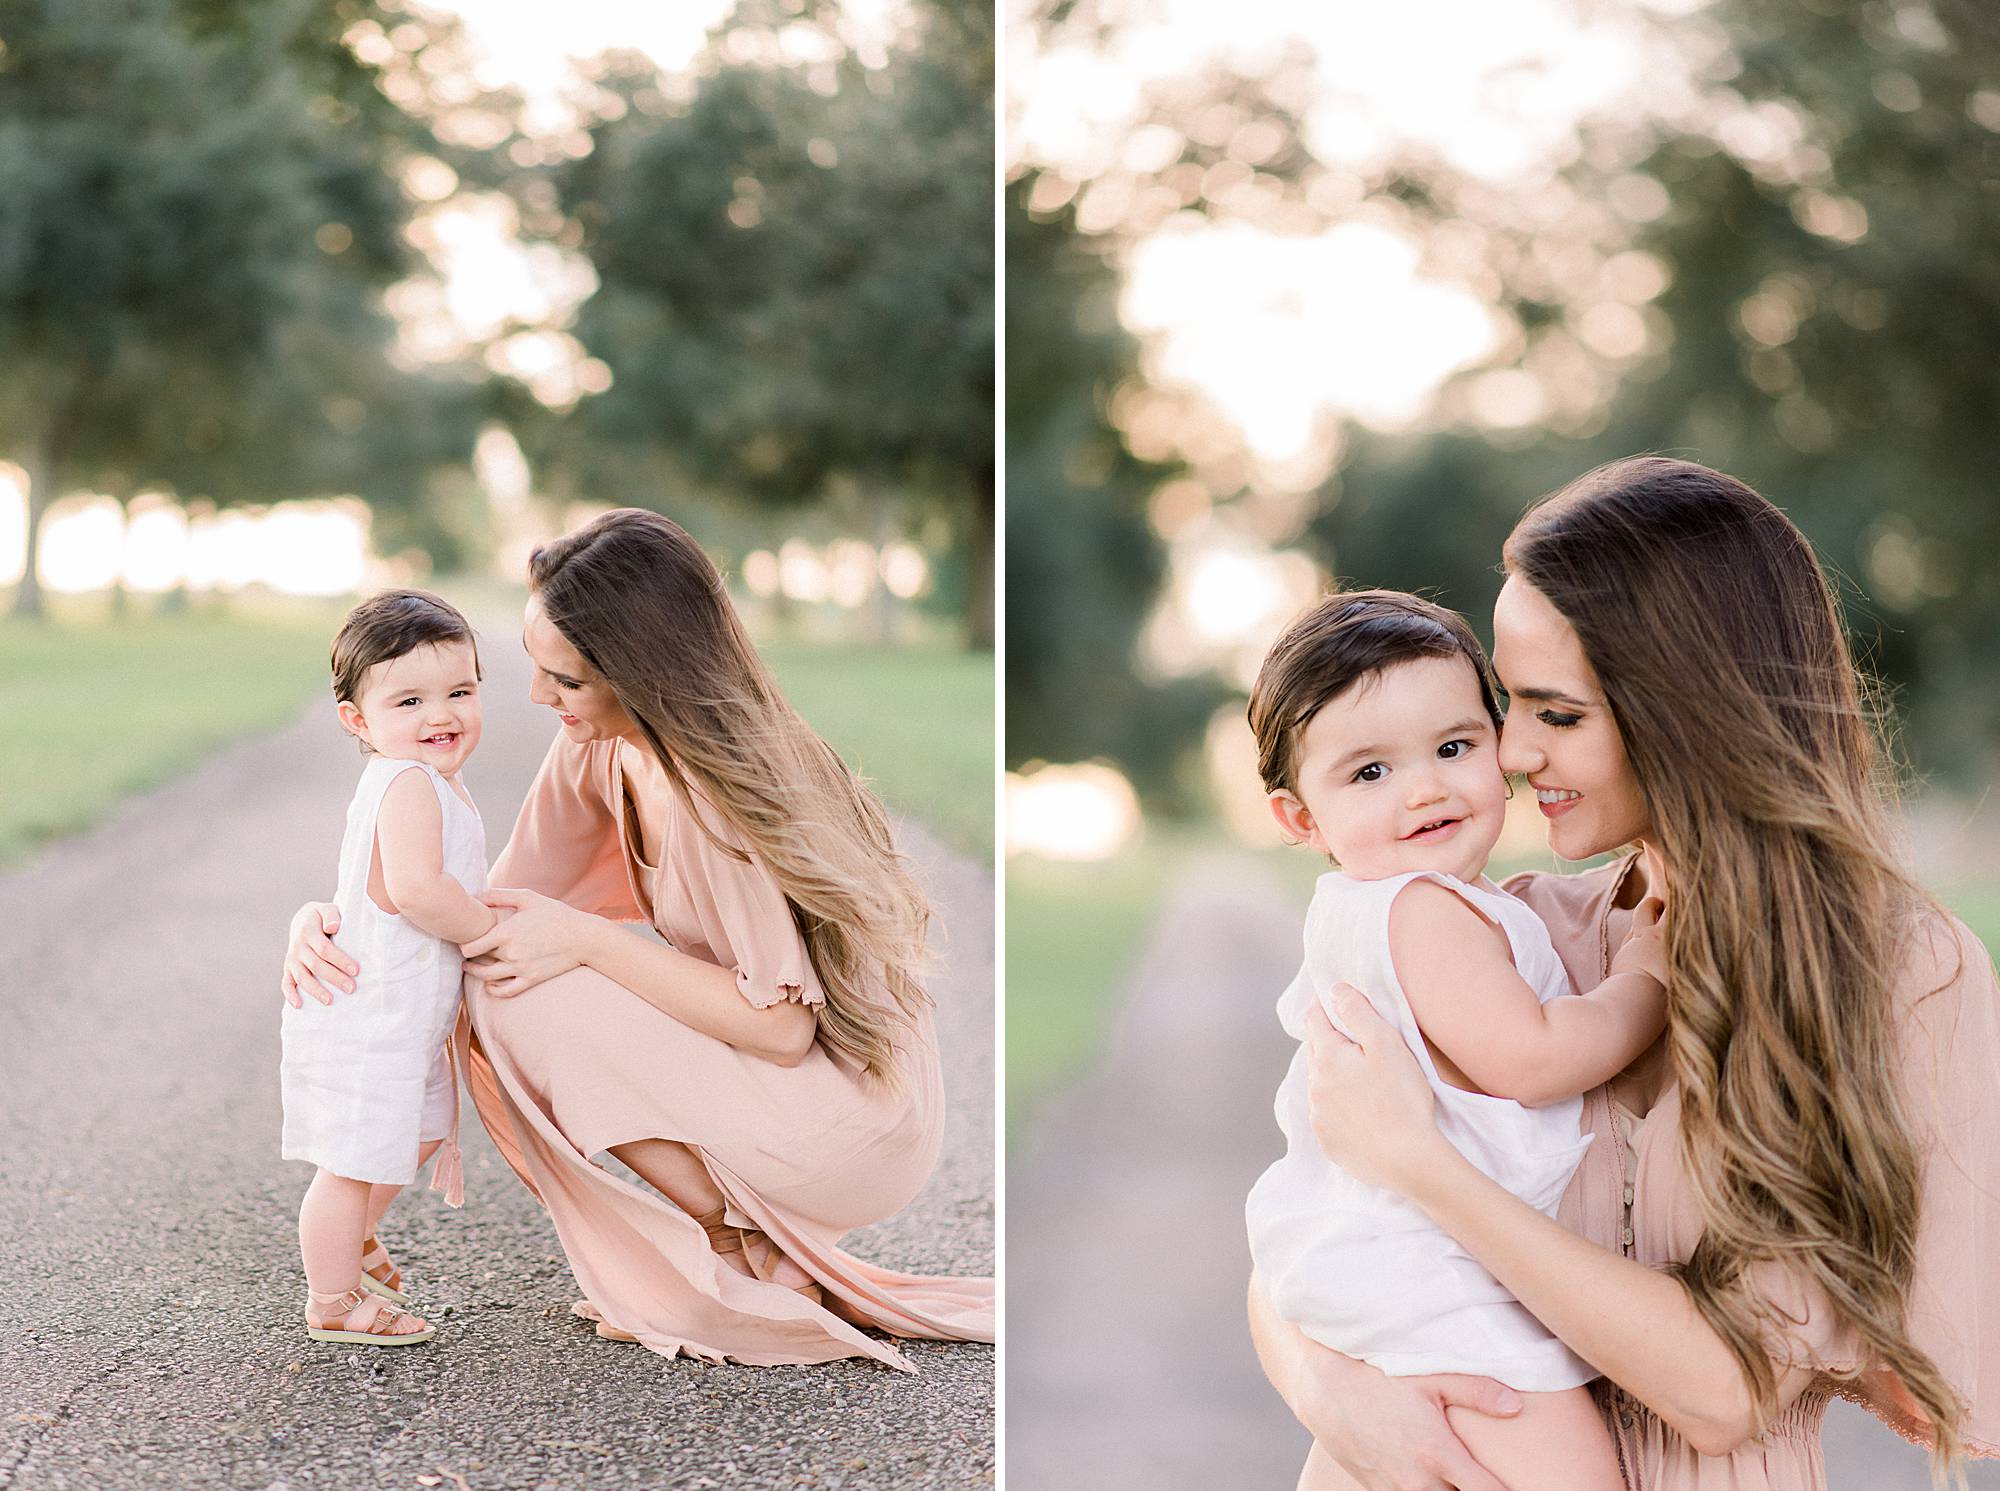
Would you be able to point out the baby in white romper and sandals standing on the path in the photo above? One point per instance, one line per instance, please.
(369, 1080)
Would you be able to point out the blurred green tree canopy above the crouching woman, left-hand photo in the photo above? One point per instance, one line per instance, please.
(797, 287)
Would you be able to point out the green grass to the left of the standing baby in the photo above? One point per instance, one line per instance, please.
(93, 711)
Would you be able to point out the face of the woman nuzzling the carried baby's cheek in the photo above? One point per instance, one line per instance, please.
(1559, 731)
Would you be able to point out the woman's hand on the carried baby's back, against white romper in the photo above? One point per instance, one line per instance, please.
(1371, 1104)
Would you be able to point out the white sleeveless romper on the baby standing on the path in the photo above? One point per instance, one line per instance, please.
(369, 1078)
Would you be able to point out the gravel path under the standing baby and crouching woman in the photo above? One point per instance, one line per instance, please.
(149, 1262)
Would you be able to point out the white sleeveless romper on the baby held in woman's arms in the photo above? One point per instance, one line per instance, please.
(1363, 1270)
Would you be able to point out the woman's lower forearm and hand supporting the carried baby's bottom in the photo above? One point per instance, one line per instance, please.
(1385, 1432)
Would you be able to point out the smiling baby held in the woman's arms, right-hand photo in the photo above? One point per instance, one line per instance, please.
(1379, 746)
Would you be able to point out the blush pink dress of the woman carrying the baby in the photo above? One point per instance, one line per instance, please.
(1637, 1198)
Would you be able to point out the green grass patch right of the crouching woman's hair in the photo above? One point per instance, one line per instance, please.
(917, 723)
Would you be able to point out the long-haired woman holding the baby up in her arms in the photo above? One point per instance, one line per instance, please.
(1799, 1190)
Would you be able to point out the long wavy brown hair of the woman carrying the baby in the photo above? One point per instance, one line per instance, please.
(1723, 659)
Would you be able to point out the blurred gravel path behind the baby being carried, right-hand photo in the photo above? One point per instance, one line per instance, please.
(1129, 1358)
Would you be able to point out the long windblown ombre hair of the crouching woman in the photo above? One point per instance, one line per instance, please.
(649, 613)
